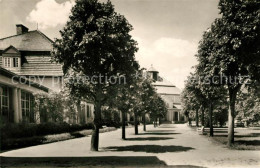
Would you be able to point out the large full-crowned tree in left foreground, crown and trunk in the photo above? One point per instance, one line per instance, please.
(96, 49)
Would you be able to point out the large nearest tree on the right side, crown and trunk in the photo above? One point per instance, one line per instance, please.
(233, 49)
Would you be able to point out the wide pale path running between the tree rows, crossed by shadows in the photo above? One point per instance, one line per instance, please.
(164, 146)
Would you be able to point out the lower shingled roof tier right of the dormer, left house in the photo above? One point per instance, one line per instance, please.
(40, 65)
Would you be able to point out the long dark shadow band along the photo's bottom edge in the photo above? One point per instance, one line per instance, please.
(104, 161)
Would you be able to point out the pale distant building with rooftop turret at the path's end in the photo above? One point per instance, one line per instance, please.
(169, 93)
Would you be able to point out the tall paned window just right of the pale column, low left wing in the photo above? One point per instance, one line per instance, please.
(27, 107)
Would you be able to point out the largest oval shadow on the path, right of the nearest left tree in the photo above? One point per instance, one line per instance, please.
(150, 148)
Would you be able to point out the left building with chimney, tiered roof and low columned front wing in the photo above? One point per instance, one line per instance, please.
(28, 54)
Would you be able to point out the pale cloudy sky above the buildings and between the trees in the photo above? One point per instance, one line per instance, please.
(167, 31)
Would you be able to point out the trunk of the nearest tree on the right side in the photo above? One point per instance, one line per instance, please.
(231, 114)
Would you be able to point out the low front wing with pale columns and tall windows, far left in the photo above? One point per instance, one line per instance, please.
(16, 97)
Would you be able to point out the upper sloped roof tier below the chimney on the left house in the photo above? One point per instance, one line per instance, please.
(31, 41)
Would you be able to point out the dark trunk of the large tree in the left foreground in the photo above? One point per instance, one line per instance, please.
(95, 132)
